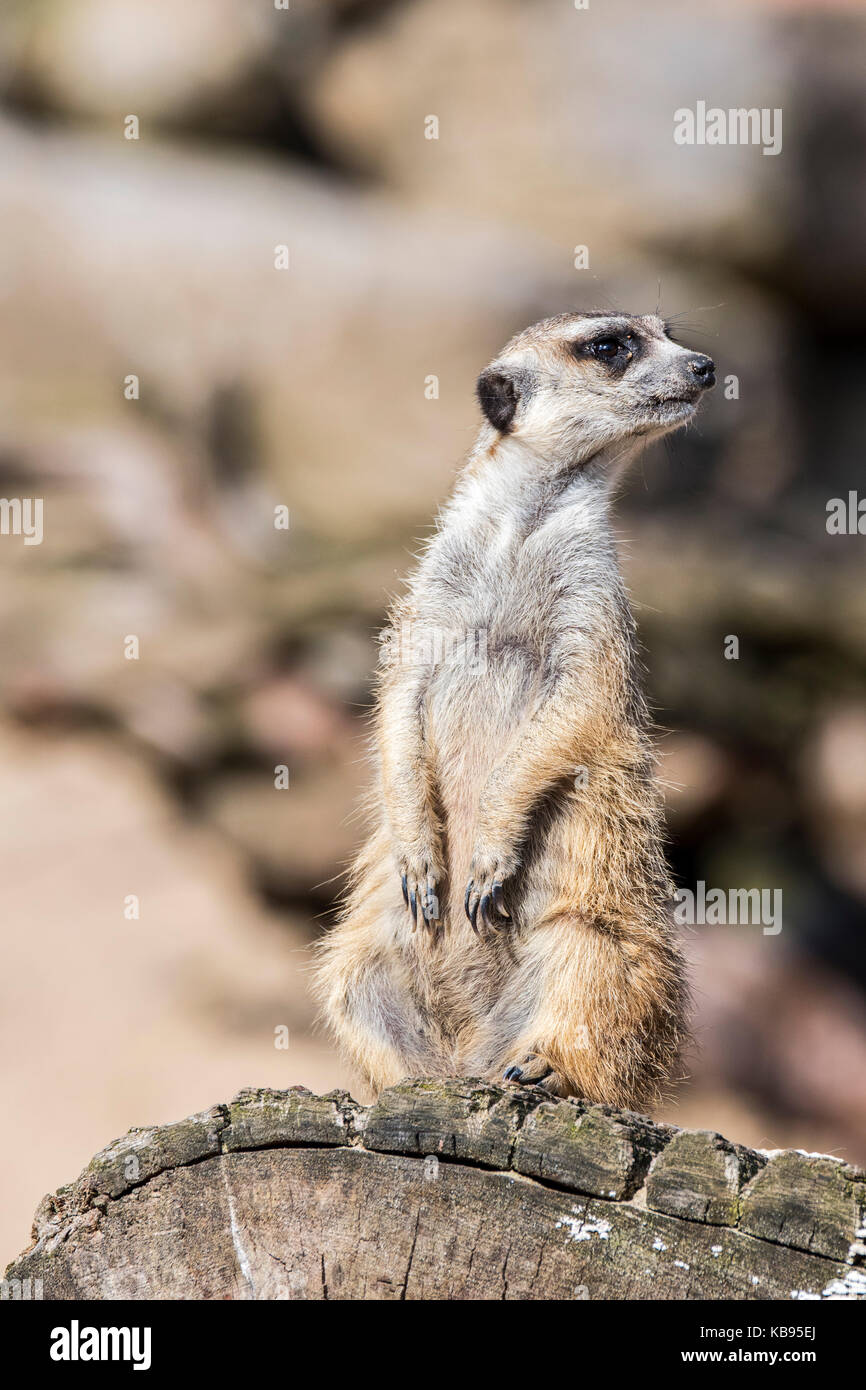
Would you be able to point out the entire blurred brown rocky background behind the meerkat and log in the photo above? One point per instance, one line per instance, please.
(409, 258)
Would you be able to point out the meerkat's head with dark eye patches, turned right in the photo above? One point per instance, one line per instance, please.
(578, 384)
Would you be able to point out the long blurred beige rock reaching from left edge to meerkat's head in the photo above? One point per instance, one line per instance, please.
(333, 352)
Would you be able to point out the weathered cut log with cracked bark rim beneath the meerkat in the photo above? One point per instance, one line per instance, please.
(444, 1191)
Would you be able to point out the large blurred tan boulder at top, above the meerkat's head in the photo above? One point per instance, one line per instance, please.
(518, 88)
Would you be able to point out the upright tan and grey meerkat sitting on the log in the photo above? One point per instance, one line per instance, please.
(508, 915)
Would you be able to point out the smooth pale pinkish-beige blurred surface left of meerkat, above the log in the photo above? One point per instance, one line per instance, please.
(127, 1020)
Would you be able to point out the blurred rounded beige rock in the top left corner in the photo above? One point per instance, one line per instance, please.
(212, 66)
